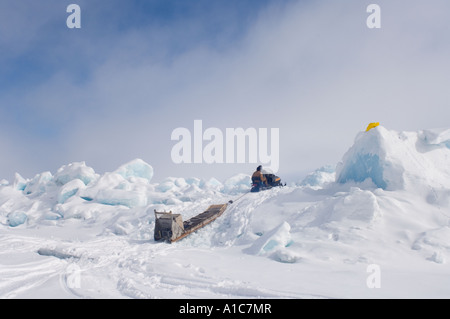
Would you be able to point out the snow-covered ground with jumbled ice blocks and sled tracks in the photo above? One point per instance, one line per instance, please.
(377, 226)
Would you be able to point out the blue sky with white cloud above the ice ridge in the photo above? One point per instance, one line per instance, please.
(115, 89)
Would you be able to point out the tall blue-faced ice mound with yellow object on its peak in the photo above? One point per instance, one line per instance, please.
(398, 160)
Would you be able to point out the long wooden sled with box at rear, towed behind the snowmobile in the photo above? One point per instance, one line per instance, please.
(170, 227)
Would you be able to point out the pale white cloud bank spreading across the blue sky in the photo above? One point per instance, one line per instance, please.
(313, 70)
